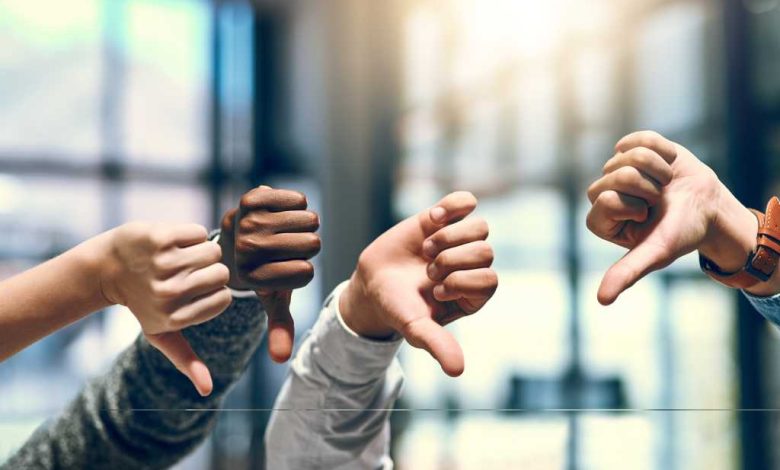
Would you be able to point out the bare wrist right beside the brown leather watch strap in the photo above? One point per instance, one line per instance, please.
(731, 236)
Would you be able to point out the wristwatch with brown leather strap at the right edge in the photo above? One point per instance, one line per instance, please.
(762, 263)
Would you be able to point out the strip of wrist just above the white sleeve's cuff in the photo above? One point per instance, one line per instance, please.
(358, 314)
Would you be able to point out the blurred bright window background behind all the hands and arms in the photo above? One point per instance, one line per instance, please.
(116, 110)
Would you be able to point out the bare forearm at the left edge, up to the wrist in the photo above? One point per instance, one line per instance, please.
(52, 295)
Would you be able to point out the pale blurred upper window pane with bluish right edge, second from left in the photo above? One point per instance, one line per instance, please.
(167, 75)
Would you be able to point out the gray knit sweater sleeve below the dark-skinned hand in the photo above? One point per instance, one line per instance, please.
(143, 413)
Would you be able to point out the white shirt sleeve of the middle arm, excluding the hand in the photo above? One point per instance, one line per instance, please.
(333, 409)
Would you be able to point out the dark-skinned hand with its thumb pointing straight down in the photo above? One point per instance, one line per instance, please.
(267, 242)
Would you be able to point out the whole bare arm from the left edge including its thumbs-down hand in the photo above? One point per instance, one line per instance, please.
(168, 275)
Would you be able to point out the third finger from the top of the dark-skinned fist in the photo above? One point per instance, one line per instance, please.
(279, 247)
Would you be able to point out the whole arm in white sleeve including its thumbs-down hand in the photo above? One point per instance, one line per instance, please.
(425, 272)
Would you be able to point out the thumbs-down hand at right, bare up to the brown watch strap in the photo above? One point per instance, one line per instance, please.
(659, 201)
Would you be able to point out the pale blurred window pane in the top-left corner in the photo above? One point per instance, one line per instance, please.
(50, 72)
